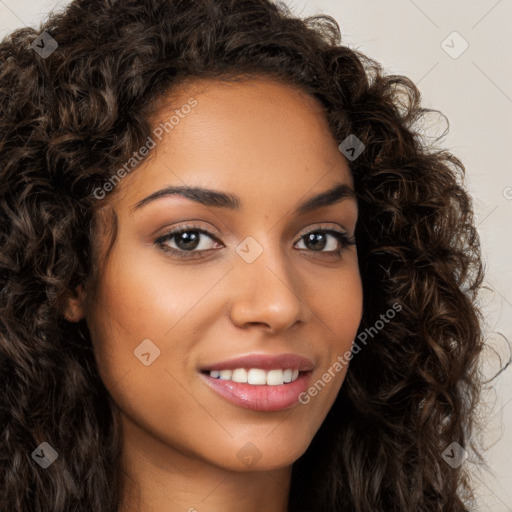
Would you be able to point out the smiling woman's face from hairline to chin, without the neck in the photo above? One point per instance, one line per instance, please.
(194, 282)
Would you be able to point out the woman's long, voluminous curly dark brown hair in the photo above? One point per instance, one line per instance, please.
(69, 119)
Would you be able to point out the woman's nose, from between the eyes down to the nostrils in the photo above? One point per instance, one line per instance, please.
(267, 292)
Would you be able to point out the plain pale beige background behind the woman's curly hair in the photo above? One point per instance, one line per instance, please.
(474, 91)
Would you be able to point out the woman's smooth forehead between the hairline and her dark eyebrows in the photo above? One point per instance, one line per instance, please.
(255, 134)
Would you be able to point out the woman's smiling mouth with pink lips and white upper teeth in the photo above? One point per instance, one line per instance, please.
(260, 382)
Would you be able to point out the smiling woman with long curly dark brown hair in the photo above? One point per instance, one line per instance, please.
(233, 274)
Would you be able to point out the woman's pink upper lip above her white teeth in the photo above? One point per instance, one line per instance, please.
(264, 362)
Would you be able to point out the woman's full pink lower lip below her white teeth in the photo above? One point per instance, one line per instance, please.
(263, 397)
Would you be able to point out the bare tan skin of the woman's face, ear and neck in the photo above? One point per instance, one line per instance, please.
(269, 144)
